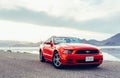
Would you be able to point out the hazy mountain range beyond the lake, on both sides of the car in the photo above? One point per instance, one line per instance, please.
(112, 41)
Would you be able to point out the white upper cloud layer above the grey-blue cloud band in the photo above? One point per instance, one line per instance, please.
(79, 10)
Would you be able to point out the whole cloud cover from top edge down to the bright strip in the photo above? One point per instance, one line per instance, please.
(92, 15)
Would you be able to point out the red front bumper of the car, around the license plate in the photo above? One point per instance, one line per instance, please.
(80, 59)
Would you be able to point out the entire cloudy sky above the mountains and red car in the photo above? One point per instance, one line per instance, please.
(35, 20)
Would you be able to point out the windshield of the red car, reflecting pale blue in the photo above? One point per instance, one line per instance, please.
(59, 40)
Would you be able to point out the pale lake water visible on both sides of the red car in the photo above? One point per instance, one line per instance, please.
(109, 52)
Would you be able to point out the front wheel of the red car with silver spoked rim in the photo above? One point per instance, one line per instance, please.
(56, 61)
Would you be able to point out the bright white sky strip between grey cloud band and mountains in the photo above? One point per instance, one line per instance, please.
(34, 33)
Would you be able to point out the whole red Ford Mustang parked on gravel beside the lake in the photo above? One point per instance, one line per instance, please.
(69, 51)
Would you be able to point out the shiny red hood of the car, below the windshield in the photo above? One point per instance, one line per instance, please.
(77, 46)
